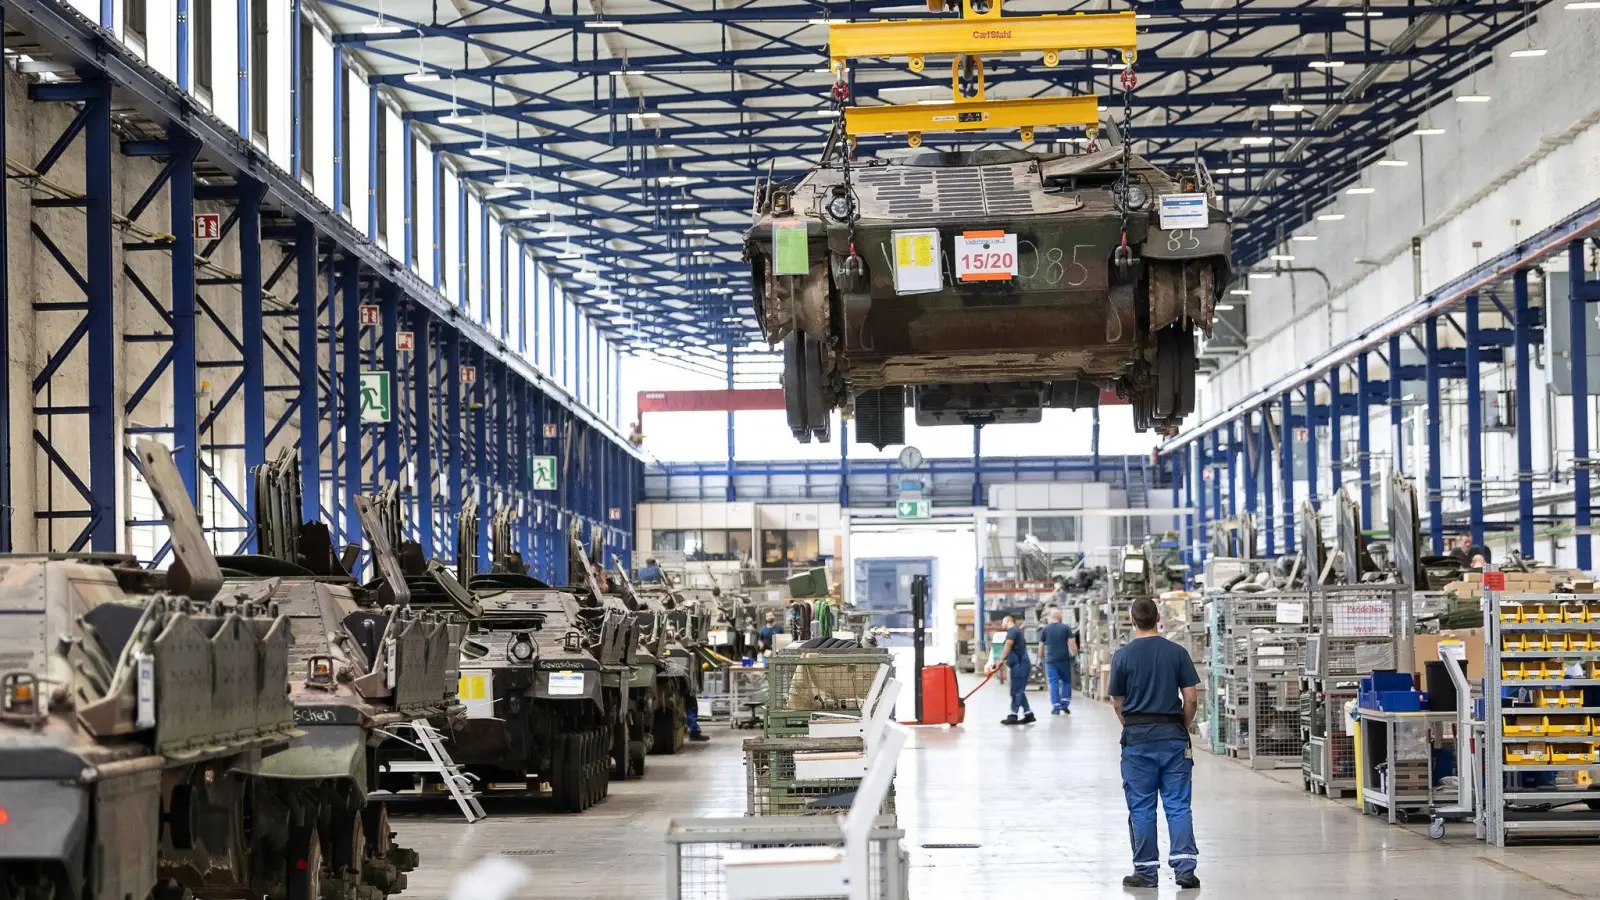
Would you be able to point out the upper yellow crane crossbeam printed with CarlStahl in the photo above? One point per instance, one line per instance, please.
(983, 36)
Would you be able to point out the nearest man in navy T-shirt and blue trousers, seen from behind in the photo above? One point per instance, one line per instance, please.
(1154, 691)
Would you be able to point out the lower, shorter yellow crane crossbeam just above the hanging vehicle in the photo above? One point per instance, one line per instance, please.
(974, 116)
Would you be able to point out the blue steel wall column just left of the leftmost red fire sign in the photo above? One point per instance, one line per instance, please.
(186, 355)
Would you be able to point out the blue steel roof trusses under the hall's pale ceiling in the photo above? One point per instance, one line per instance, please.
(1193, 100)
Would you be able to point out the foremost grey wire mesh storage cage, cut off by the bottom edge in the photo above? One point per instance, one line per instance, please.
(697, 850)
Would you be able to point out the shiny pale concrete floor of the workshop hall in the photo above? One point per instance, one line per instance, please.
(1042, 803)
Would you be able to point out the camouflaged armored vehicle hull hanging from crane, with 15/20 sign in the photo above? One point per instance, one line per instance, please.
(985, 287)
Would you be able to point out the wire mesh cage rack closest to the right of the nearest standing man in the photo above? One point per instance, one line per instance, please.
(1263, 638)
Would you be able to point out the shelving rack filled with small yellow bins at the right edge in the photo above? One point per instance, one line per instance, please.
(1542, 649)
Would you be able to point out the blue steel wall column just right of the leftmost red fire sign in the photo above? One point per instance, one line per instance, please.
(254, 339)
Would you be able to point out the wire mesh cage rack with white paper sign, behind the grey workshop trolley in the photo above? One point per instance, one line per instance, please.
(1354, 630)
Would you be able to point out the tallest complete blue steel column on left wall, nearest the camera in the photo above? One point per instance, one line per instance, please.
(103, 438)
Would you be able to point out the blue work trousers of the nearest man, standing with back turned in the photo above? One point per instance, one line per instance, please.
(1159, 768)
